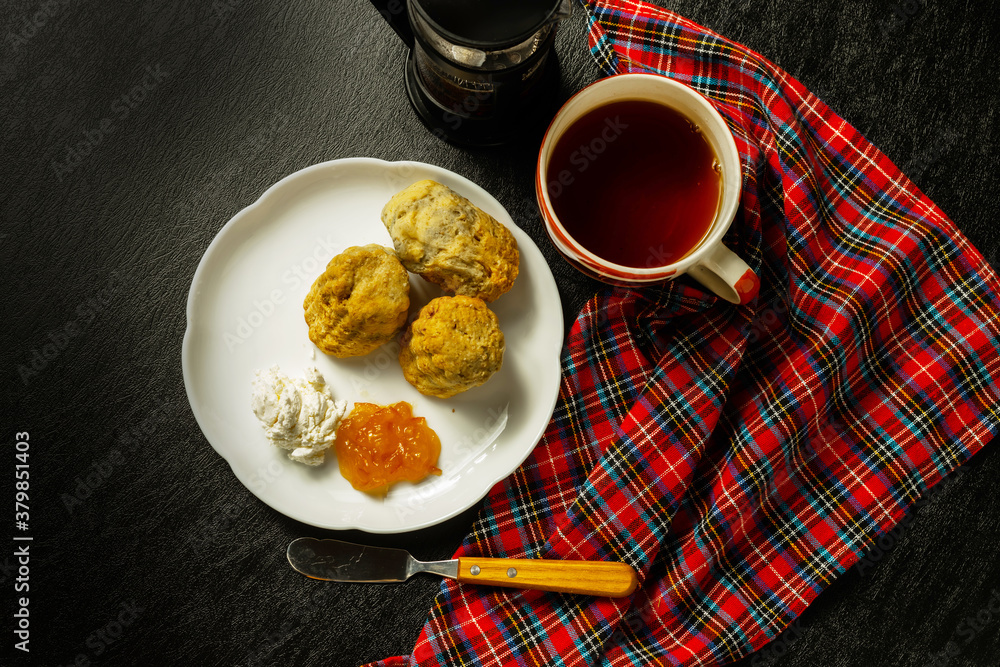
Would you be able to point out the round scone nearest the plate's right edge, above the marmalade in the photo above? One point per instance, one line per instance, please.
(455, 344)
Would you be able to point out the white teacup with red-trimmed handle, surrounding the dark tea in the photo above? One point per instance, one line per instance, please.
(710, 263)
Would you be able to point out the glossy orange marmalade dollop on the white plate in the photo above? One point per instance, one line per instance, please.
(378, 446)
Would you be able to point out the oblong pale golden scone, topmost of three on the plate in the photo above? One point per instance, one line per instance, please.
(442, 236)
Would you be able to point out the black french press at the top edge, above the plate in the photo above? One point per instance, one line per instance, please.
(479, 72)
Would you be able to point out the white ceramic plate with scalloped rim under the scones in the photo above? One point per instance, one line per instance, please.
(245, 313)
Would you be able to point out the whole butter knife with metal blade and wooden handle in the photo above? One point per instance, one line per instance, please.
(334, 560)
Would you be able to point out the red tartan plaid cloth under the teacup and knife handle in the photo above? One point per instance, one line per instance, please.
(740, 457)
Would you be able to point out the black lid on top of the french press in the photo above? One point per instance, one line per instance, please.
(486, 24)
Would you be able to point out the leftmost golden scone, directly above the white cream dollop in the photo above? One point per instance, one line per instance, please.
(359, 303)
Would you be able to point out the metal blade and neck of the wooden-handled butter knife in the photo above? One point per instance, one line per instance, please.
(334, 560)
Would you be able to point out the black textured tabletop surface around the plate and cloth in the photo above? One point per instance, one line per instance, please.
(246, 92)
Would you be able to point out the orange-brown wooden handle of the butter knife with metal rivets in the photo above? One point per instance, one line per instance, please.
(588, 577)
